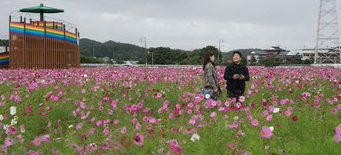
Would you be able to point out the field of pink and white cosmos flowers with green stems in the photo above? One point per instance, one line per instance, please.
(136, 110)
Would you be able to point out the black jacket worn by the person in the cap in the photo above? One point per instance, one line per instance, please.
(236, 84)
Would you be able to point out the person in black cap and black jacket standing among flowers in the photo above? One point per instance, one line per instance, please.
(235, 75)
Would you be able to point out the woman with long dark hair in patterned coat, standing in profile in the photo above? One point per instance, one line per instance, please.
(211, 77)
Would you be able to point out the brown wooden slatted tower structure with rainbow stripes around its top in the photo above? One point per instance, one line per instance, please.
(36, 46)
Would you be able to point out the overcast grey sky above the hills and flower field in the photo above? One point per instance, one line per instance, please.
(186, 24)
